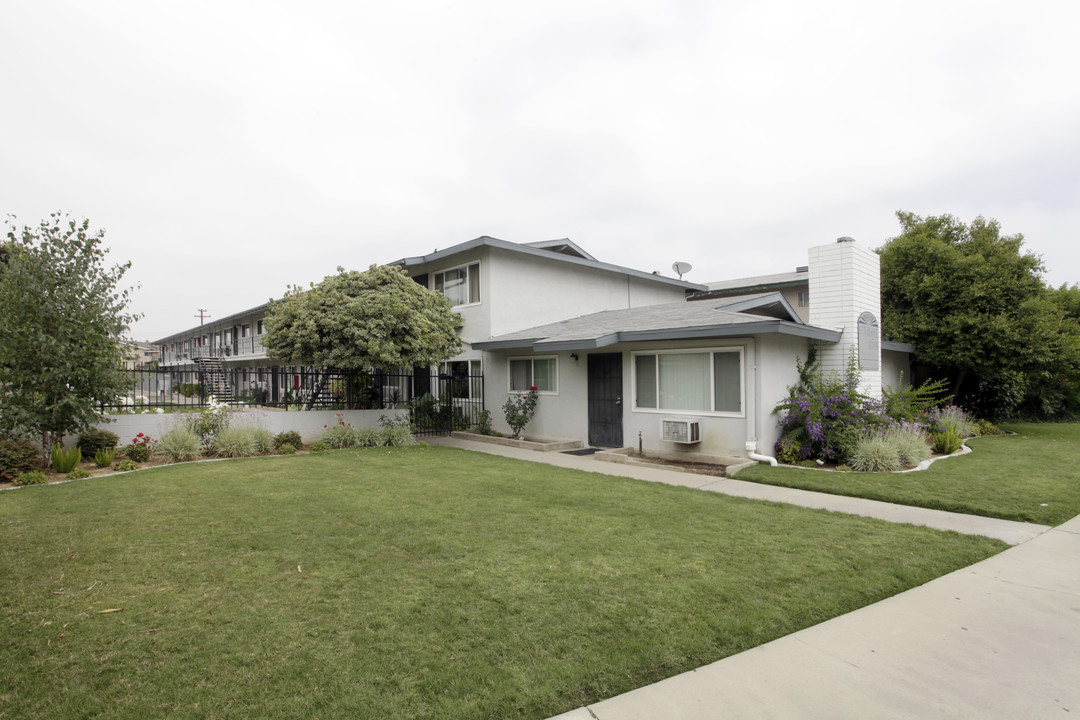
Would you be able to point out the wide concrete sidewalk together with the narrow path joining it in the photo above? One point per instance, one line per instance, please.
(998, 640)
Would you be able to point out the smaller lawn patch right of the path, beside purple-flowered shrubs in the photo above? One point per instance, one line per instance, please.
(1032, 477)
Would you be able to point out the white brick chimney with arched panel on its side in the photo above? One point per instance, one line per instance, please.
(846, 296)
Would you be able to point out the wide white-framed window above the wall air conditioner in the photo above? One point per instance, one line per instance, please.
(690, 381)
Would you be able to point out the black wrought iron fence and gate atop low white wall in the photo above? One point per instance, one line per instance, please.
(437, 403)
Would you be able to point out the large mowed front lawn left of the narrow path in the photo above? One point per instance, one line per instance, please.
(409, 583)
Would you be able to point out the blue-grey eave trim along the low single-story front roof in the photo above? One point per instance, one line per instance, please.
(763, 328)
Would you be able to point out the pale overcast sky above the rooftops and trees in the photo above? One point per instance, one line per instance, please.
(232, 150)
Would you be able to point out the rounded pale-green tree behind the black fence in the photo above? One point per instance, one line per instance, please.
(380, 319)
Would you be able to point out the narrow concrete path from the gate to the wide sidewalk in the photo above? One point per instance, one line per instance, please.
(1009, 532)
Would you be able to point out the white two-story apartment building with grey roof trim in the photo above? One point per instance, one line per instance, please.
(623, 357)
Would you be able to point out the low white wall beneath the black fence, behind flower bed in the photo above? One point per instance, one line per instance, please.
(308, 424)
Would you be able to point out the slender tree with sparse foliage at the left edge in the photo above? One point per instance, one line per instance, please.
(63, 318)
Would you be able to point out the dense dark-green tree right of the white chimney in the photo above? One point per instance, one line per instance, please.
(975, 305)
